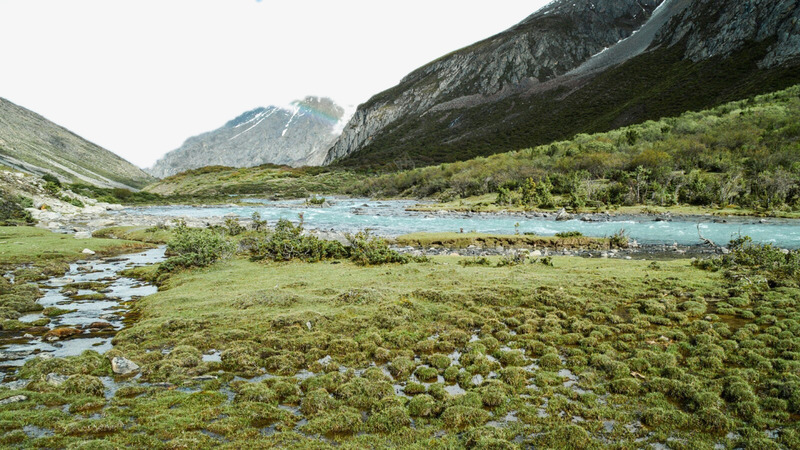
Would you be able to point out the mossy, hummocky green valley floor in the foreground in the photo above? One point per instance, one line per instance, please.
(441, 354)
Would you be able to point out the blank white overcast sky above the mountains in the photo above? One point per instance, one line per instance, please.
(140, 76)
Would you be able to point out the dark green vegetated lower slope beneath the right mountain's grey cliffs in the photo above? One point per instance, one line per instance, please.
(656, 84)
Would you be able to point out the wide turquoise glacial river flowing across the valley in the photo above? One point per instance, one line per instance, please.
(391, 218)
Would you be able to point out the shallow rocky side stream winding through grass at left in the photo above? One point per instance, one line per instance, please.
(97, 299)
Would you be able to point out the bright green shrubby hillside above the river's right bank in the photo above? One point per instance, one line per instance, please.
(745, 153)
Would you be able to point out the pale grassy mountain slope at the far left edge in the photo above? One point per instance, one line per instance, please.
(33, 144)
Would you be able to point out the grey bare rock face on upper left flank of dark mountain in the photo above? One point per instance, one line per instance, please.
(548, 43)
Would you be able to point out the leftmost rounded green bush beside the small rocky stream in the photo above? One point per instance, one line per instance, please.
(194, 247)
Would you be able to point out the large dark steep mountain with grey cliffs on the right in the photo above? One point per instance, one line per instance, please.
(576, 66)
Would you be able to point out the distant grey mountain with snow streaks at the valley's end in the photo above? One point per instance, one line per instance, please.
(295, 136)
